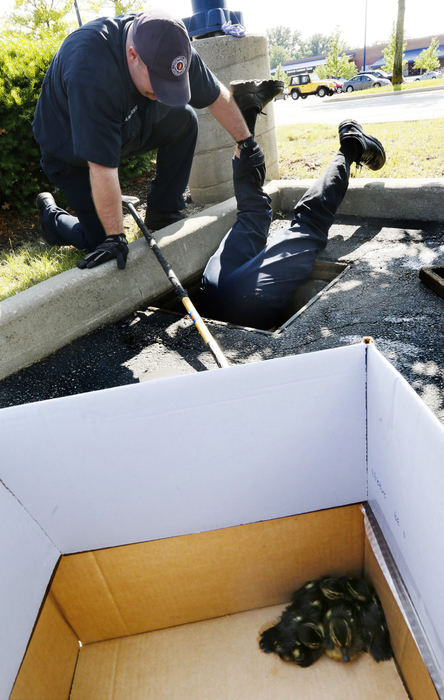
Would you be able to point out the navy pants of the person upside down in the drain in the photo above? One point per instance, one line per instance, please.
(250, 280)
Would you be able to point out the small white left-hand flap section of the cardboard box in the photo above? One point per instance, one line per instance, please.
(27, 560)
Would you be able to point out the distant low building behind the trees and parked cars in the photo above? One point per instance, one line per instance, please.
(374, 57)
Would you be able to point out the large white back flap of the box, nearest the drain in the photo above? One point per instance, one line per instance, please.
(192, 453)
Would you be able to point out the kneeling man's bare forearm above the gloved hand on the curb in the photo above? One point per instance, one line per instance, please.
(107, 197)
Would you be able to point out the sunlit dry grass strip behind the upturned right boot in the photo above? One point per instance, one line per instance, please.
(414, 149)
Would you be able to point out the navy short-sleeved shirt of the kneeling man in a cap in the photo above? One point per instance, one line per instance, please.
(89, 108)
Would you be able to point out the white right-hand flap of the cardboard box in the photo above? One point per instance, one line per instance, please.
(406, 490)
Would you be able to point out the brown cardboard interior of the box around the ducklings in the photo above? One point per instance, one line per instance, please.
(181, 618)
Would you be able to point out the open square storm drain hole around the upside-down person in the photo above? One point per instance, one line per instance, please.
(323, 276)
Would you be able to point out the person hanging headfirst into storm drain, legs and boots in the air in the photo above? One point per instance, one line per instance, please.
(251, 277)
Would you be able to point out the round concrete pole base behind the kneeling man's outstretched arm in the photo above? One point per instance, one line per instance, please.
(230, 58)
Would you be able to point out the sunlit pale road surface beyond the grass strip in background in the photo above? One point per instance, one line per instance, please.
(388, 107)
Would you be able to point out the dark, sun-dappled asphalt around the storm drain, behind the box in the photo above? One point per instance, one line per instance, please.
(380, 295)
